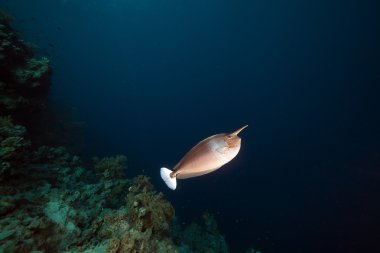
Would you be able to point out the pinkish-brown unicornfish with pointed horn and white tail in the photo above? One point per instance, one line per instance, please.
(205, 157)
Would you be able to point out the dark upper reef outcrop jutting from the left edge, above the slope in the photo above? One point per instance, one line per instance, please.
(24, 79)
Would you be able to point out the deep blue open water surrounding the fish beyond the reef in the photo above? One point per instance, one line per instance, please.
(149, 79)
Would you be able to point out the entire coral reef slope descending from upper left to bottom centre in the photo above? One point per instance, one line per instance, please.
(50, 203)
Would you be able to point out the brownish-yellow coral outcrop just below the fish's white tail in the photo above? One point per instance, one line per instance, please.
(129, 229)
